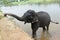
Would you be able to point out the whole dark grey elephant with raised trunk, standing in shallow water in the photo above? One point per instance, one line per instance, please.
(37, 19)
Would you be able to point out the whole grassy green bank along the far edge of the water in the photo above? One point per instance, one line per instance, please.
(23, 2)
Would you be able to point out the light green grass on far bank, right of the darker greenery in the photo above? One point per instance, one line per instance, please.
(36, 2)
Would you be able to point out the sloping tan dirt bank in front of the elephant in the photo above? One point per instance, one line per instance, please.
(10, 31)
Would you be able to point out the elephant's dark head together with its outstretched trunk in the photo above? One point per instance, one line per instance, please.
(28, 17)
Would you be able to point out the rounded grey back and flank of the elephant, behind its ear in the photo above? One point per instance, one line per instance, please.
(43, 17)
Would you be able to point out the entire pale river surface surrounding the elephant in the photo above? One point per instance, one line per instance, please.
(52, 9)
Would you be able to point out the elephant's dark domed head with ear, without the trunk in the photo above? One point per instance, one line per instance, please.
(30, 16)
